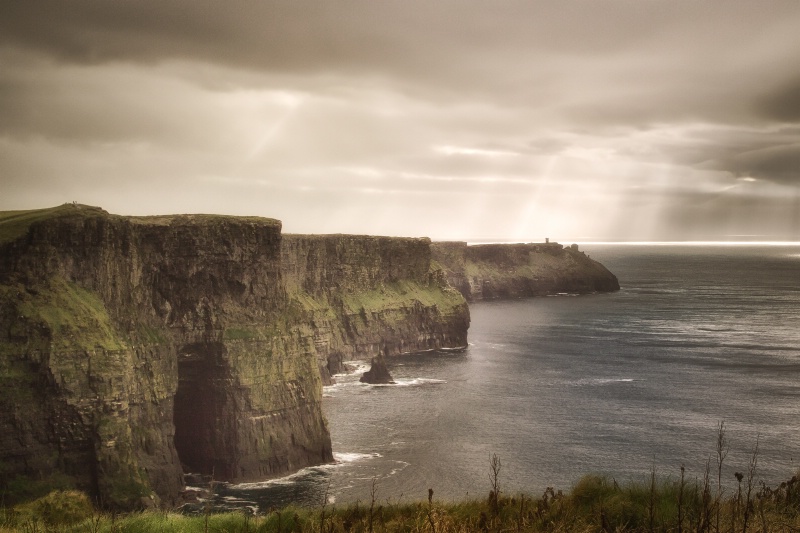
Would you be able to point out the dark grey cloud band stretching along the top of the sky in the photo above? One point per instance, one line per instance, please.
(522, 50)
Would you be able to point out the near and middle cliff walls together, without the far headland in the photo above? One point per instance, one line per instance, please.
(133, 350)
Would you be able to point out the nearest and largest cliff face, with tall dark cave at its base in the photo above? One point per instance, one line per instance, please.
(131, 347)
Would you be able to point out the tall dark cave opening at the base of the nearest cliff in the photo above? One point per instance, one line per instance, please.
(204, 413)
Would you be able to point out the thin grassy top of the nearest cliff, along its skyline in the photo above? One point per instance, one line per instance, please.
(14, 224)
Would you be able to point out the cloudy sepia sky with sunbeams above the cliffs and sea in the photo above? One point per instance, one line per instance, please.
(605, 120)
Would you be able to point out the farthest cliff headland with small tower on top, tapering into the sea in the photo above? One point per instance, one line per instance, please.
(517, 270)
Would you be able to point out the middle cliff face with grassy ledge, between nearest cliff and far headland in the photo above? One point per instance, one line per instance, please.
(363, 295)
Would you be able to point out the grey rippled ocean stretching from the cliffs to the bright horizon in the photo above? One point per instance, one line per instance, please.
(565, 386)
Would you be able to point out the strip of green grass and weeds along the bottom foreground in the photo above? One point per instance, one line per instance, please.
(594, 504)
